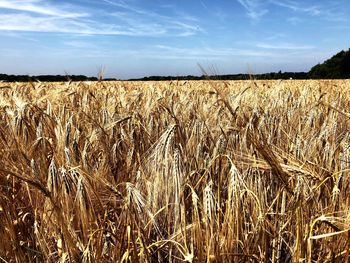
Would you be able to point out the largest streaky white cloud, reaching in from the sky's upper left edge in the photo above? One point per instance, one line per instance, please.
(40, 16)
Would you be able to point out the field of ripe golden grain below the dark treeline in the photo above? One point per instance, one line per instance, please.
(207, 171)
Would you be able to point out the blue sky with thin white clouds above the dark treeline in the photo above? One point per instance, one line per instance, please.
(156, 37)
